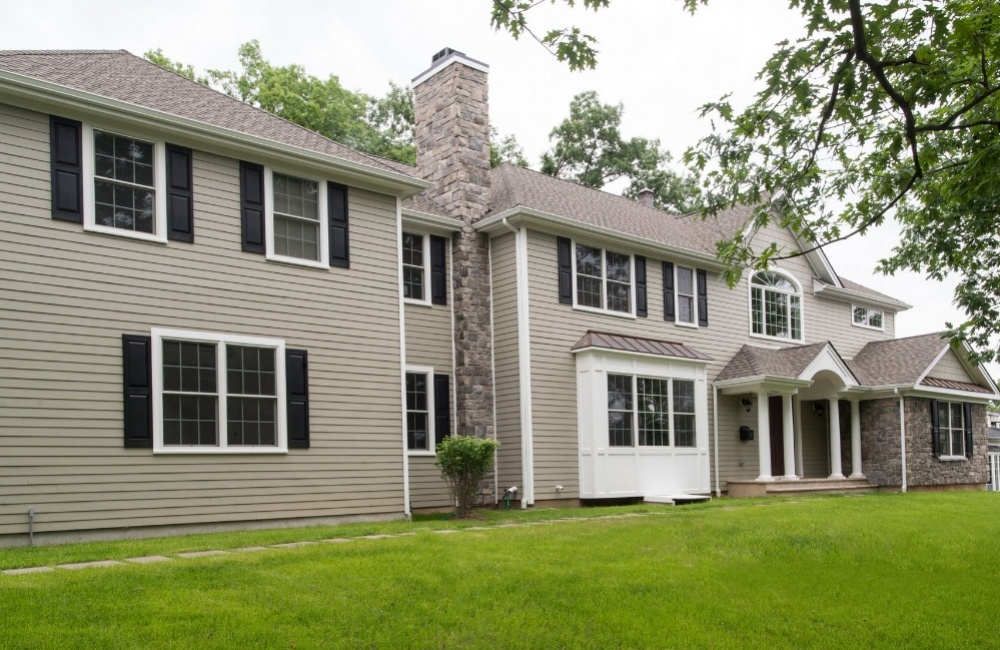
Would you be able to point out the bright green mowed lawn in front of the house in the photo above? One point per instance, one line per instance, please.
(906, 571)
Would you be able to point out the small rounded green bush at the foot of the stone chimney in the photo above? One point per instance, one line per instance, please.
(464, 462)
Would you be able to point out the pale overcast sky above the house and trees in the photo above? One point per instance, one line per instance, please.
(657, 60)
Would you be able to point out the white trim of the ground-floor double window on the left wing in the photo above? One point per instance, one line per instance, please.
(220, 340)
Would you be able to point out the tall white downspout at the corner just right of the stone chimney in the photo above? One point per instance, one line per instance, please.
(524, 363)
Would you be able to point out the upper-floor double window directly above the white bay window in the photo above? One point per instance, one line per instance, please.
(603, 280)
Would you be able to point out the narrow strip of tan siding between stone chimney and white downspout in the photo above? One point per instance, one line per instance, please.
(505, 356)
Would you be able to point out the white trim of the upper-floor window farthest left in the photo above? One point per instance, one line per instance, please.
(90, 224)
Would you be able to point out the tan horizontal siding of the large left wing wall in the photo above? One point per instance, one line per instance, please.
(67, 296)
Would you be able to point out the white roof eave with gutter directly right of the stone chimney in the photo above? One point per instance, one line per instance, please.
(521, 215)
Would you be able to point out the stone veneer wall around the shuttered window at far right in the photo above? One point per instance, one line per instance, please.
(881, 454)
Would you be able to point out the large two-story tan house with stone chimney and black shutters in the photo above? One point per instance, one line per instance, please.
(210, 317)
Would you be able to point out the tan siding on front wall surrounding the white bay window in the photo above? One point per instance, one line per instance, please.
(555, 328)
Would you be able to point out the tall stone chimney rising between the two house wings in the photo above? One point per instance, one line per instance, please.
(452, 133)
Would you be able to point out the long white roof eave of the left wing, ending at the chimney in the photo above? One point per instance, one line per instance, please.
(51, 94)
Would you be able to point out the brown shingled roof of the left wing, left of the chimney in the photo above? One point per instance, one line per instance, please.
(120, 75)
